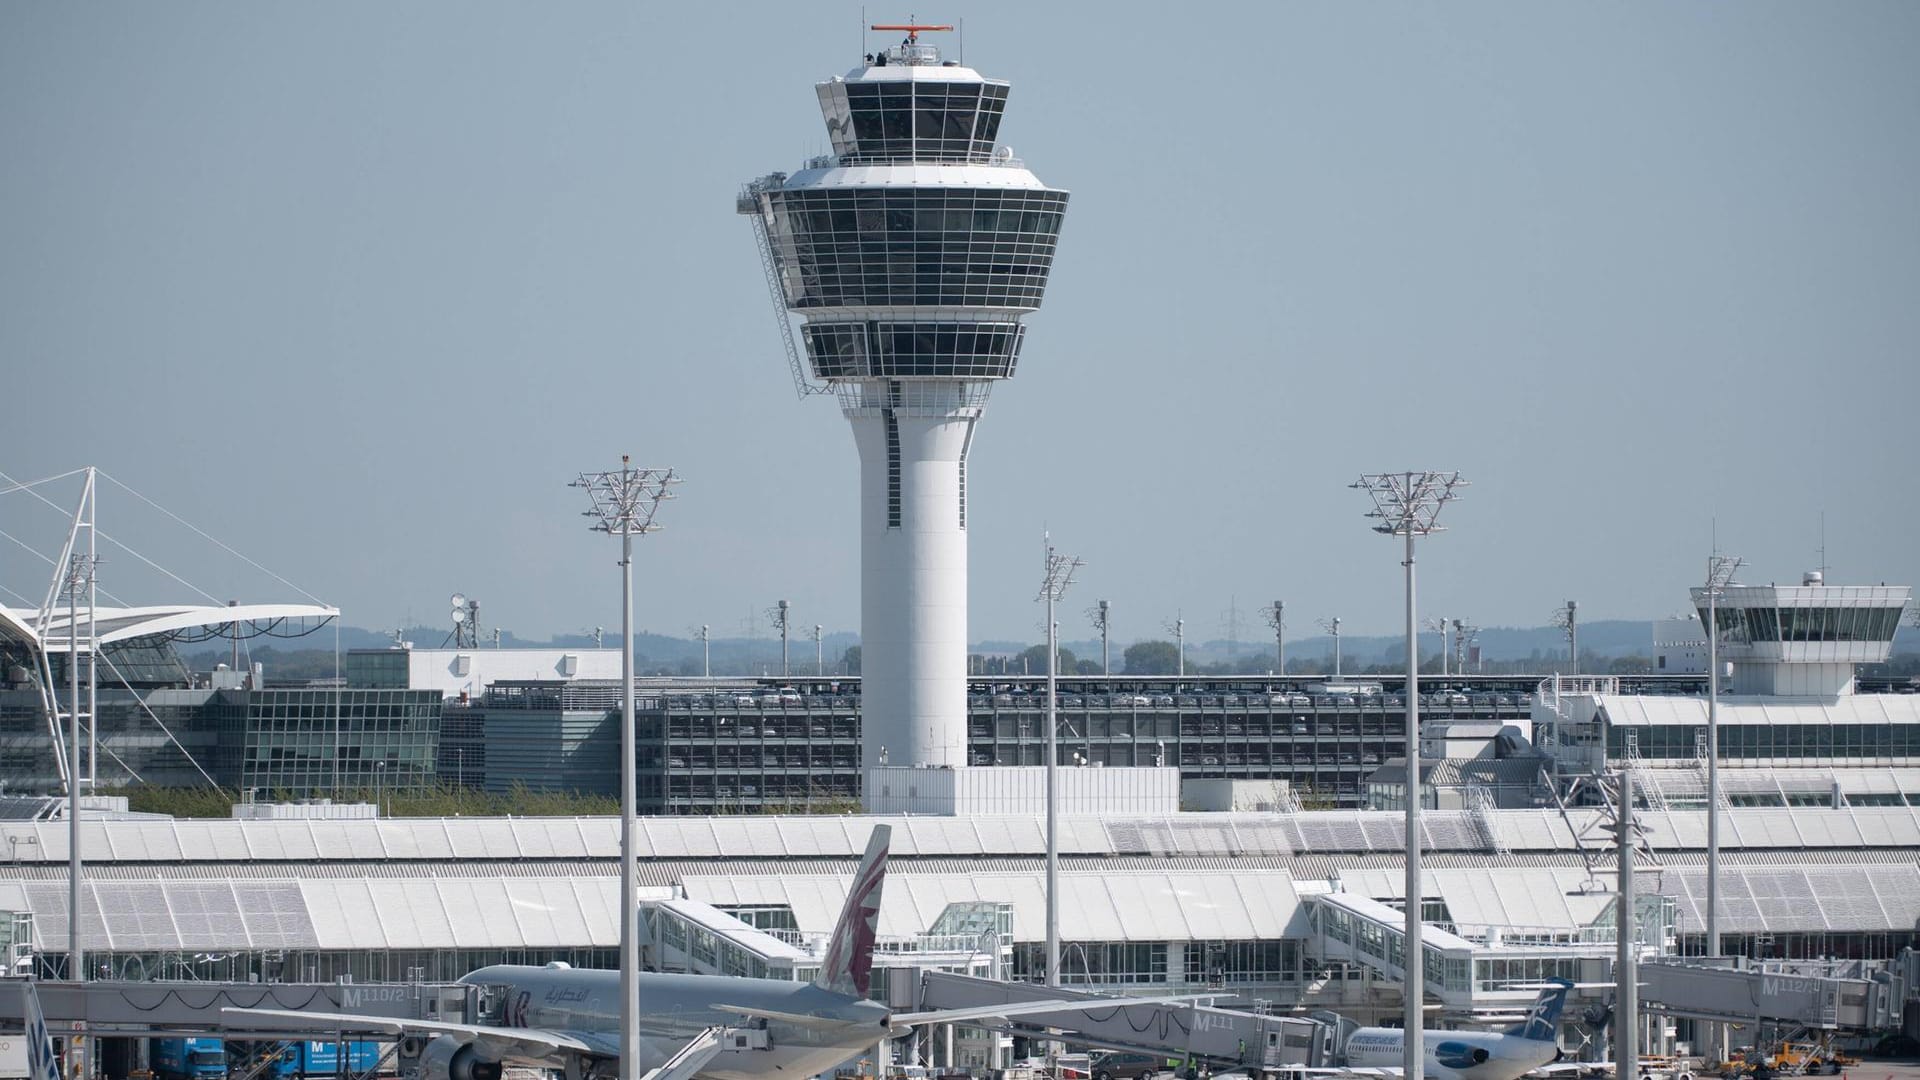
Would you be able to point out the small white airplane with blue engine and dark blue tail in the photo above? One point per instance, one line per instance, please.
(1531, 1046)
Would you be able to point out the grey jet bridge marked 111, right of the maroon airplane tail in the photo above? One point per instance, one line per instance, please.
(1224, 1039)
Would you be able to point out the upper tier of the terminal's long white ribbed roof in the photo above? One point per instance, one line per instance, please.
(1199, 835)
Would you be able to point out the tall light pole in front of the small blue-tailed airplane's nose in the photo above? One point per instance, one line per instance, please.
(1408, 504)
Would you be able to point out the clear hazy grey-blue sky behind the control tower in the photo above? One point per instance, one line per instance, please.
(358, 289)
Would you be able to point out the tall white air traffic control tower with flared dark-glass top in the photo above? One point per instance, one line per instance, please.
(911, 253)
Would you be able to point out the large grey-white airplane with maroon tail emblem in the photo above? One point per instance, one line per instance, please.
(692, 1025)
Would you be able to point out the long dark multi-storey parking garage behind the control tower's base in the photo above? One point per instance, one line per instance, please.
(723, 747)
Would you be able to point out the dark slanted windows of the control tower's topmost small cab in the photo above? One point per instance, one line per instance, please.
(913, 120)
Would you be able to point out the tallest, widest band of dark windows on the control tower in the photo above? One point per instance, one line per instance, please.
(915, 247)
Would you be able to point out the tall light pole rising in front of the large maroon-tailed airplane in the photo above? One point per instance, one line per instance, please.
(623, 504)
